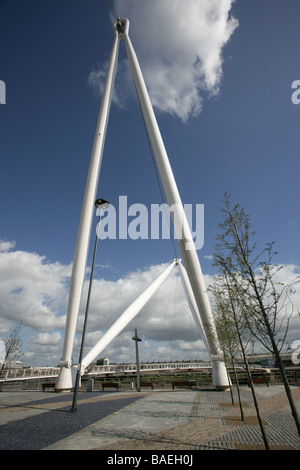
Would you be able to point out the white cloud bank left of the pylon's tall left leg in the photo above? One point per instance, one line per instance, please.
(33, 292)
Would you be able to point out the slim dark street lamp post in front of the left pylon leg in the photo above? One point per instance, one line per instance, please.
(99, 204)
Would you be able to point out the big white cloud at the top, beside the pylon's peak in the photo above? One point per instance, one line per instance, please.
(179, 46)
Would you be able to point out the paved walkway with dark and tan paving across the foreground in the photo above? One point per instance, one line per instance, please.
(176, 420)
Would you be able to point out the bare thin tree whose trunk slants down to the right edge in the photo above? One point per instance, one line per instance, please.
(264, 302)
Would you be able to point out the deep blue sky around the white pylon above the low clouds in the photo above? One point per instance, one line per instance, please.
(245, 140)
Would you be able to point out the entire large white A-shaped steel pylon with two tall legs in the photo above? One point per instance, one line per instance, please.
(190, 258)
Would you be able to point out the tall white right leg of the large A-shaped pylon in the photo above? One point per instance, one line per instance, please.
(186, 243)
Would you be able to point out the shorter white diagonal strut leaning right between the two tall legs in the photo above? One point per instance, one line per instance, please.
(129, 314)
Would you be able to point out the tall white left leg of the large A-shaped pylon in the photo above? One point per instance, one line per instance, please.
(66, 377)
